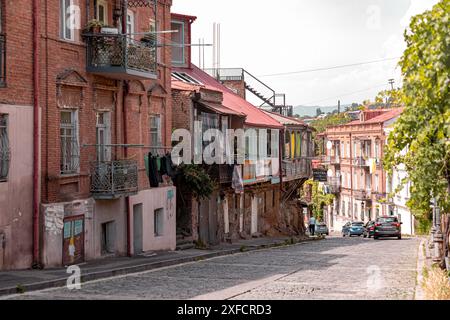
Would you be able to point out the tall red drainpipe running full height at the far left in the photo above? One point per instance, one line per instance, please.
(36, 98)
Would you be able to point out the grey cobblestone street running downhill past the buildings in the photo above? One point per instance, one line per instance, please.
(335, 268)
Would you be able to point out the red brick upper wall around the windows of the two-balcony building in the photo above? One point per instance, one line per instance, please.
(144, 99)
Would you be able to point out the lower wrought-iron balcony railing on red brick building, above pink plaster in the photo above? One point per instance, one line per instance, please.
(114, 179)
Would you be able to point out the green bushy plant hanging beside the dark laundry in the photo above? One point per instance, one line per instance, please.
(195, 179)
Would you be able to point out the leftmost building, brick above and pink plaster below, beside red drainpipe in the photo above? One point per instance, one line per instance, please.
(16, 134)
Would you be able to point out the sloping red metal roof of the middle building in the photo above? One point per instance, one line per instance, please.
(255, 117)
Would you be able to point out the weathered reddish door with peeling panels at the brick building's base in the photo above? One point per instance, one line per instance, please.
(73, 242)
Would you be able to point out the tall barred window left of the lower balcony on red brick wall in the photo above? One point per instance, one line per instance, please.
(70, 152)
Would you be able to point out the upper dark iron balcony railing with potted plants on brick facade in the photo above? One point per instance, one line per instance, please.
(120, 57)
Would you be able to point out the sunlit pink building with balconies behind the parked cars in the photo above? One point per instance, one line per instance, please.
(354, 153)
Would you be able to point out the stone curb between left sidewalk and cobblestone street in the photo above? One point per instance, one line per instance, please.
(58, 283)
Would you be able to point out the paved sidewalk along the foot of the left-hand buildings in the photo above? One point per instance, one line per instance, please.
(29, 280)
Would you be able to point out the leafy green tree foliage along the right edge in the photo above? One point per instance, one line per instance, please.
(421, 137)
